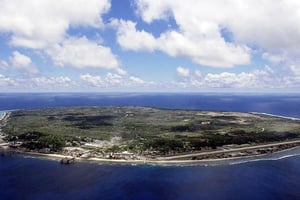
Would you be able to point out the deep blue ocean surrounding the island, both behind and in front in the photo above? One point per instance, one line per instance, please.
(269, 177)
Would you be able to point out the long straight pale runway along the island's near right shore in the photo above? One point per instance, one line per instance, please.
(228, 150)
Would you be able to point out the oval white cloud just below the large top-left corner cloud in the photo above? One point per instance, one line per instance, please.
(83, 53)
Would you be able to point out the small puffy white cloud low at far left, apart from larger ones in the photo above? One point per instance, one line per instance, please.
(22, 62)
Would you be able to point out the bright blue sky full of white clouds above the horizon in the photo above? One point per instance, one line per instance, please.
(150, 46)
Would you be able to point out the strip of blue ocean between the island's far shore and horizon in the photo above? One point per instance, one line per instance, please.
(275, 104)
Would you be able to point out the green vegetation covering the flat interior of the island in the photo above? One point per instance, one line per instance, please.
(143, 128)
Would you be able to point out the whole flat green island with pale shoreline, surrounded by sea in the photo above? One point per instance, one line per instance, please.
(145, 134)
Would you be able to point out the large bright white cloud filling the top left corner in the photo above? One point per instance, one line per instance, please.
(39, 23)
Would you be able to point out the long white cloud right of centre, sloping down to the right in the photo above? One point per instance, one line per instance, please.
(198, 47)
